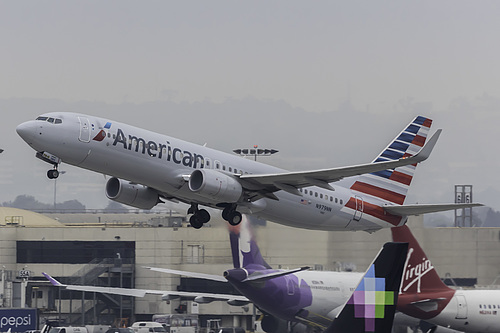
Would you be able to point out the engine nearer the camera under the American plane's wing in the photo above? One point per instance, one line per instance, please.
(215, 185)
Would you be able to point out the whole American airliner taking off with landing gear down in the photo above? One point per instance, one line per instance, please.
(146, 167)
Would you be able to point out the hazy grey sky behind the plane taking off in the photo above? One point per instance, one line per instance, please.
(336, 80)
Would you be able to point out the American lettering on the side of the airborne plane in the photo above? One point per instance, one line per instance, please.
(159, 150)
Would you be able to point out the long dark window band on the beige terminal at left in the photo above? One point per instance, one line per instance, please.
(71, 252)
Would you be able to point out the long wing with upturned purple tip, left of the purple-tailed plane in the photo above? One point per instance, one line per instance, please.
(166, 294)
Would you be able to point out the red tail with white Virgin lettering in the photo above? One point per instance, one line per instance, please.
(423, 295)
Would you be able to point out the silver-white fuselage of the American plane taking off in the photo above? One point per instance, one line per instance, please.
(163, 163)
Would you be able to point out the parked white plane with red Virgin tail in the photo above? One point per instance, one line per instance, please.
(423, 295)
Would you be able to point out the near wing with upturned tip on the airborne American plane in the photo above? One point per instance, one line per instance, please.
(290, 181)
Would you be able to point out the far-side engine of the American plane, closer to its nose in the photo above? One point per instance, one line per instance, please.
(134, 195)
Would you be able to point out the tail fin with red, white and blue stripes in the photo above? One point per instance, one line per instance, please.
(392, 185)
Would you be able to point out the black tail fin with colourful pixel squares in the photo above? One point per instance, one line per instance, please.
(372, 305)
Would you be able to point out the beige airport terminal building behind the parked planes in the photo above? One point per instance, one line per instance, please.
(113, 249)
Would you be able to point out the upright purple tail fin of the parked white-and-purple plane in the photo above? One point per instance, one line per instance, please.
(244, 248)
